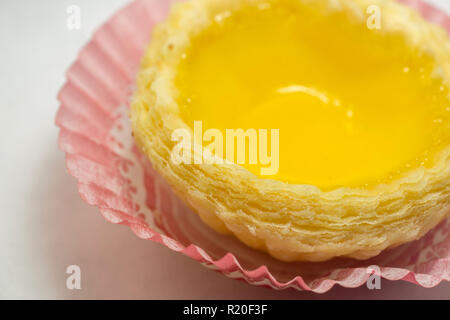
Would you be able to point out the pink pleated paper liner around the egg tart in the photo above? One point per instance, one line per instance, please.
(113, 175)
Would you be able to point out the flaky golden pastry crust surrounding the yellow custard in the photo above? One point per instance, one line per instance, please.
(291, 222)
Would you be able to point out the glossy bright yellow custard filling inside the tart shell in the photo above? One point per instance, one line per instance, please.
(354, 106)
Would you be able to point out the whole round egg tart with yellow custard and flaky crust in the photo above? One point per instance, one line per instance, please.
(351, 98)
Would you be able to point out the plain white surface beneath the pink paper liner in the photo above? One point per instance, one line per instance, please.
(45, 226)
